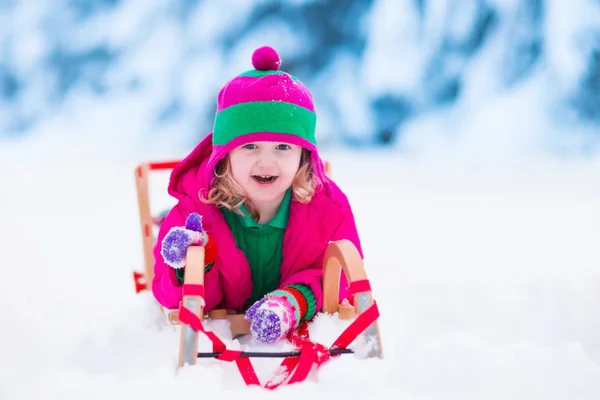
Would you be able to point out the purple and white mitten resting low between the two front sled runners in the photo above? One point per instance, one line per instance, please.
(271, 319)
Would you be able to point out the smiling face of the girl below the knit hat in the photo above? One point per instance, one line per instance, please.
(265, 170)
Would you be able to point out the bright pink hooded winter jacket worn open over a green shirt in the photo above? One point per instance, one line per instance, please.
(228, 283)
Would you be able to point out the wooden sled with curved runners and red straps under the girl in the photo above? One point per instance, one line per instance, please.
(360, 309)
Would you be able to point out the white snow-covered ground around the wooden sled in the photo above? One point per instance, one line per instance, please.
(487, 278)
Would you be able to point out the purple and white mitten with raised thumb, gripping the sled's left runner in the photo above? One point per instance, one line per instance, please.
(178, 239)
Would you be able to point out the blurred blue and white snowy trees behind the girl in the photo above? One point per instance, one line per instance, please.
(501, 77)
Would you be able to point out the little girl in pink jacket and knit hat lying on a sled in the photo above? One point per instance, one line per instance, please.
(256, 186)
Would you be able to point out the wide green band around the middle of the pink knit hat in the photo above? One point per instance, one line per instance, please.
(264, 116)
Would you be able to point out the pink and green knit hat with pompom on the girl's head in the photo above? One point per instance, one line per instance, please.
(264, 104)
